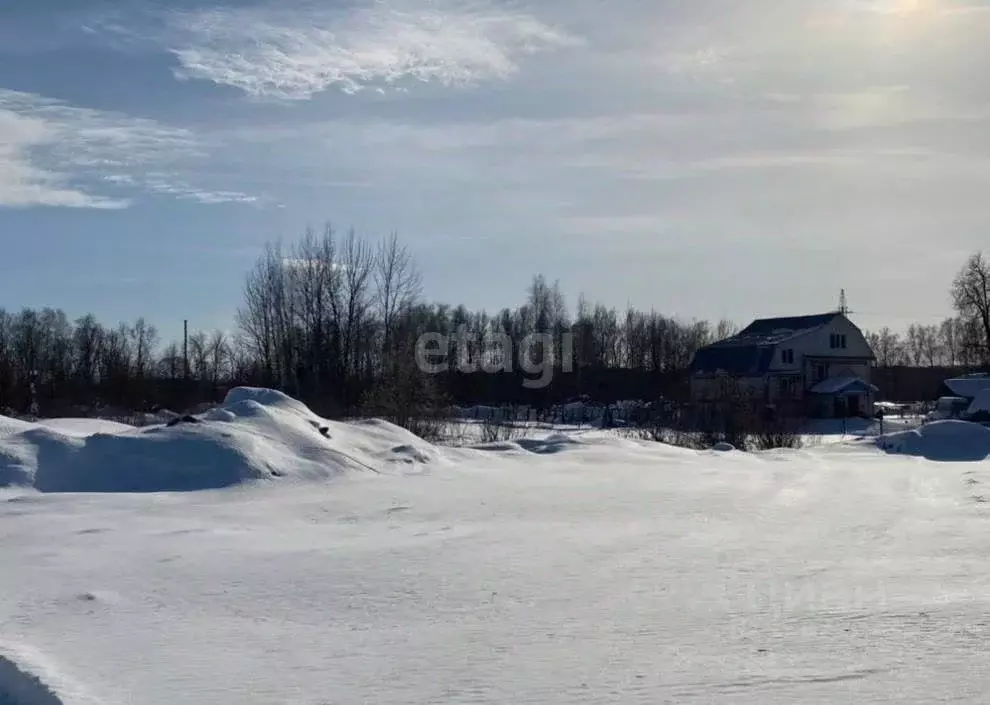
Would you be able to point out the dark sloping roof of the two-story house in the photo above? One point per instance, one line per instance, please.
(751, 350)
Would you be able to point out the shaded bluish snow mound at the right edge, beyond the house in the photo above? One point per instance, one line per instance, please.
(946, 441)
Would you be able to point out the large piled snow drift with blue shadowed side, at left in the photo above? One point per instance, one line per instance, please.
(255, 435)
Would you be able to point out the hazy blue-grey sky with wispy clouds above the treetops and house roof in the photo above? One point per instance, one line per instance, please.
(704, 158)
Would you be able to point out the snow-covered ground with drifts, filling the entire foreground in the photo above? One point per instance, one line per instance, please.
(335, 564)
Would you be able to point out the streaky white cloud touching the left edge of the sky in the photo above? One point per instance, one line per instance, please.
(55, 154)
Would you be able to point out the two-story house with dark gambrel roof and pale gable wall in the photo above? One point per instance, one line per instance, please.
(815, 366)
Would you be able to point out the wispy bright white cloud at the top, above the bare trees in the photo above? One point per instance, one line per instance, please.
(293, 54)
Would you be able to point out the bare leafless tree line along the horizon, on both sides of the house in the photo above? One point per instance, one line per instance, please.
(335, 319)
